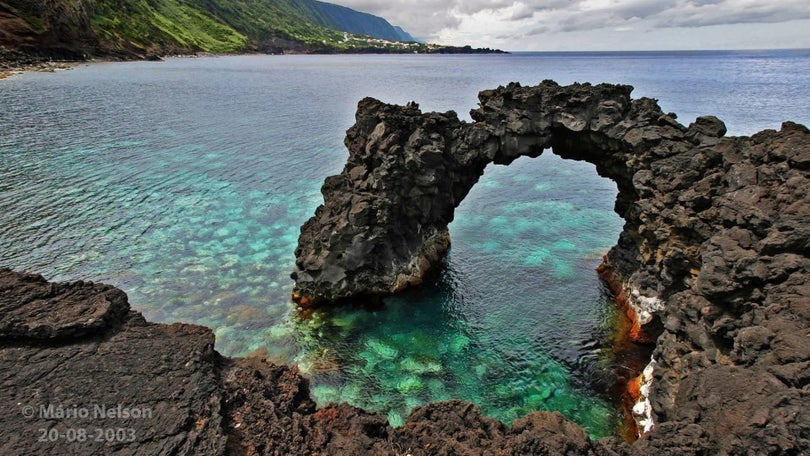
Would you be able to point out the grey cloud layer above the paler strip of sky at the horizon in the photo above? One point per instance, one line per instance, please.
(427, 18)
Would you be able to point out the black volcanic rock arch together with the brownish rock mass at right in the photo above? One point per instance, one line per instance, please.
(712, 262)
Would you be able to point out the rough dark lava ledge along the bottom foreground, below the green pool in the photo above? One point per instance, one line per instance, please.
(84, 374)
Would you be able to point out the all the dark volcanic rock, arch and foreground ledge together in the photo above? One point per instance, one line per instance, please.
(712, 267)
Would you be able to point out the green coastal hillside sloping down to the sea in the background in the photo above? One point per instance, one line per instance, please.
(76, 29)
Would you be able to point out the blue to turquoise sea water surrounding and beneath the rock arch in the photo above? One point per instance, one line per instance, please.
(184, 183)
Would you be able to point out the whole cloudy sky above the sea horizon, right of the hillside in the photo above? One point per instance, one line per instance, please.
(562, 25)
